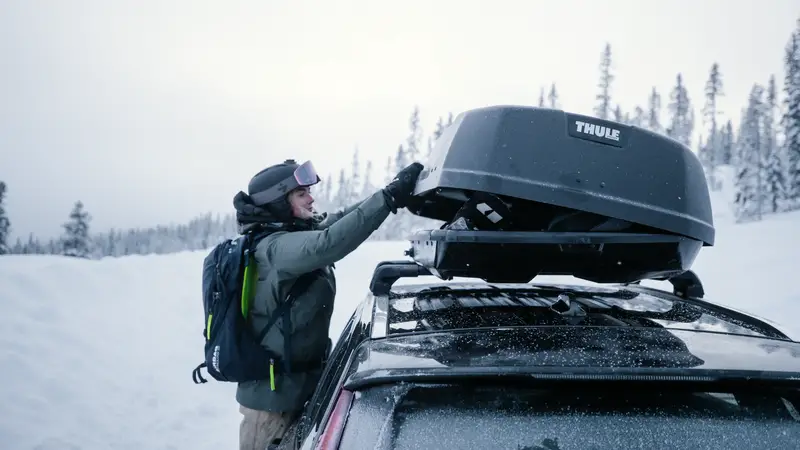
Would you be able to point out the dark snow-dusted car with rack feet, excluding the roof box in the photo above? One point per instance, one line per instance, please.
(558, 366)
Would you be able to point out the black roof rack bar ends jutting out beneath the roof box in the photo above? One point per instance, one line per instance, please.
(686, 284)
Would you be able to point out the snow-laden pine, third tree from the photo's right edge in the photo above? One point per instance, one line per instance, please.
(748, 182)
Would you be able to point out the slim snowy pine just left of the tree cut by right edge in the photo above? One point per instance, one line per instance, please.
(774, 171)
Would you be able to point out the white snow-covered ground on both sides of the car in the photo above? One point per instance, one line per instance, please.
(98, 354)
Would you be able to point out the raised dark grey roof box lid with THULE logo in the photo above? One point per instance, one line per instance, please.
(544, 163)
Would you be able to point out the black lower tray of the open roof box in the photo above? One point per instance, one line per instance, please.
(520, 256)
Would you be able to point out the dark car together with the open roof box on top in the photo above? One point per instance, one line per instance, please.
(488, 355)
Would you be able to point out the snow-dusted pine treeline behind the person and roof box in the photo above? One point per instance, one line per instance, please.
(763, 149)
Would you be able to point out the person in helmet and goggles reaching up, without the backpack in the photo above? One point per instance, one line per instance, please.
(299, 243)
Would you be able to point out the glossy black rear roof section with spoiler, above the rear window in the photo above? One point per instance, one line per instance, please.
(567, 349)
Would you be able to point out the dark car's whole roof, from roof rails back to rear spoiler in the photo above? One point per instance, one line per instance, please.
(478, 327)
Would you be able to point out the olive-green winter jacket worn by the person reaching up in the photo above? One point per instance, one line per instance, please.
(281, 258)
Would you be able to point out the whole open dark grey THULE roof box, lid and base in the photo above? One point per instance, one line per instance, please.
(551, 192)
